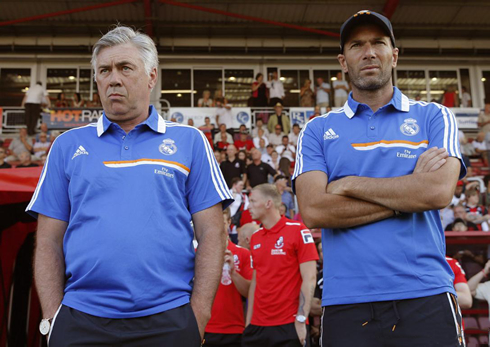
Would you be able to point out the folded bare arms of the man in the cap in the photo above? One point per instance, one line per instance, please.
(353, 200)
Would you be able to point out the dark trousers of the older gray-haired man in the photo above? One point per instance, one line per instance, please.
(176, 327)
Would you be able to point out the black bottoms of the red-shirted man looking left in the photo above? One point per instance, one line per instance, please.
(274, 336)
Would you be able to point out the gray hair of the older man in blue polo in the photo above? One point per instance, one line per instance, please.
(121, 35)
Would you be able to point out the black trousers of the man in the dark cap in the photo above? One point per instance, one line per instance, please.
(423, 322)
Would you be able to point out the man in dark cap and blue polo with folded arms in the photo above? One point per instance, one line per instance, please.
(374, 175)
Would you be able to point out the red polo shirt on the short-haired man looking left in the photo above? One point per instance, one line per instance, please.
(276, 256)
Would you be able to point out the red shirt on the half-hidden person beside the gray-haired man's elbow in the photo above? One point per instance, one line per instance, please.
(227, 312)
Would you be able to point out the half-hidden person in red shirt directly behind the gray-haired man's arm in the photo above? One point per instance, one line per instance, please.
(227, 321)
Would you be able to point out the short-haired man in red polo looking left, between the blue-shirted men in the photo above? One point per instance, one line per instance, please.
(284, 274)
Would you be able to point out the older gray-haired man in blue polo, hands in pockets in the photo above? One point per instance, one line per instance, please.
(114, 261)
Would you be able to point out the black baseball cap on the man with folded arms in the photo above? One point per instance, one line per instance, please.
(365, 17)
